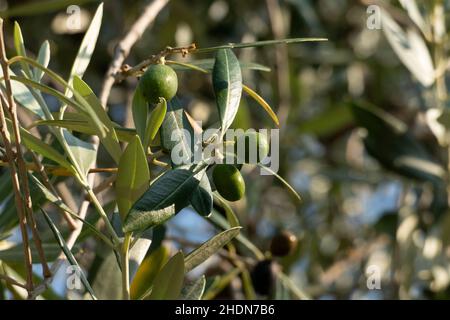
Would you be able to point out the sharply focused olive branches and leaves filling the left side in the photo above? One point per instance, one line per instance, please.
(125, 230)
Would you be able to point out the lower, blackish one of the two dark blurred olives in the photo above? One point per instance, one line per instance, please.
(263, 277)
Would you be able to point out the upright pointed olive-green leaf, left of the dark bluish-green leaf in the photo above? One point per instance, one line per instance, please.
(133, 176)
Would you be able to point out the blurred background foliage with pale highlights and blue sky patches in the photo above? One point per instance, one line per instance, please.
(360, 208)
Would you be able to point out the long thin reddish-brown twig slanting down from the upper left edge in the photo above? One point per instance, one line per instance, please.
(20, 159)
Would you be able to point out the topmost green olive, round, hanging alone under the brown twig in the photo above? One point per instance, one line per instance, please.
(159, 81)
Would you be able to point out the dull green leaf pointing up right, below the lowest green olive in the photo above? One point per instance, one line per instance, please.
(209, 248)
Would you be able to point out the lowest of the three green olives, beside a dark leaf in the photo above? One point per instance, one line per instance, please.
(229, 182)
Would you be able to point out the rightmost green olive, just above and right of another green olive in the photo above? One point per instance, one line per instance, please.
(255, 146)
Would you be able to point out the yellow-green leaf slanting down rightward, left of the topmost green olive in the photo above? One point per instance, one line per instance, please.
(110, 140)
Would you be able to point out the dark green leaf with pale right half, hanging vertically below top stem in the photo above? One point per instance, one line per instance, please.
(227, 82)
